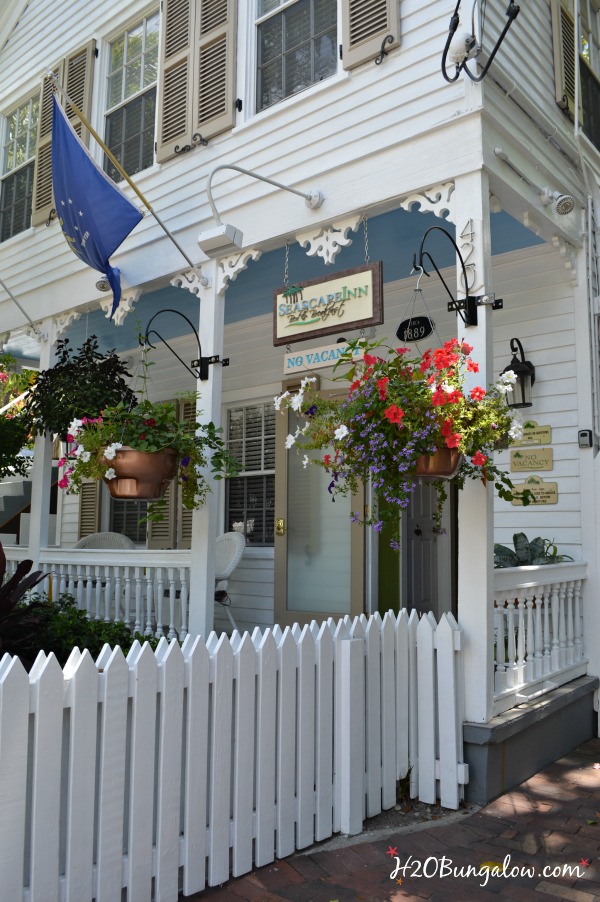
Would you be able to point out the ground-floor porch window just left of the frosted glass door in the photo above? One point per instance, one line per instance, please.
(250, 501)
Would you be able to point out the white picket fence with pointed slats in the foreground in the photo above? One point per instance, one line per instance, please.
(177, 768)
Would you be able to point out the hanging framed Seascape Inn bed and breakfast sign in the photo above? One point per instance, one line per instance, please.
(352, 299)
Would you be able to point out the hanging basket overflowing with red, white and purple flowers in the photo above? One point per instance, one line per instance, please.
(402, 414)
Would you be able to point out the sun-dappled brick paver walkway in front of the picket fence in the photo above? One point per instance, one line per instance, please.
(548, 822)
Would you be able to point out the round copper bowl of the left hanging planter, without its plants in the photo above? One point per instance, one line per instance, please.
(140, 474)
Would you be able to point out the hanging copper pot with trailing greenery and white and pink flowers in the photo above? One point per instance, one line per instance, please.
(136, 449)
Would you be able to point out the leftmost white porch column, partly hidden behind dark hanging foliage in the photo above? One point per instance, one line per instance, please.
(39, 519)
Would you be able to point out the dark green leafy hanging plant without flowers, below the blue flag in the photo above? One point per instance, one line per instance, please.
(80, 384)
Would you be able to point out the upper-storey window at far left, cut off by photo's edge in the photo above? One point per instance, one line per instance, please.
(18, 161)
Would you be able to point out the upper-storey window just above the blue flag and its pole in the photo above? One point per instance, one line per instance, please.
(131, 97)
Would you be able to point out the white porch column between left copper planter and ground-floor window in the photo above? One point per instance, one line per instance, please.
(205, 521)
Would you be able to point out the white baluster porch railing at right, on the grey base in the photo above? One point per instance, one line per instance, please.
(538, 630)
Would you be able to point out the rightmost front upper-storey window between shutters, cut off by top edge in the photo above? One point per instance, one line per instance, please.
(297, 44)
